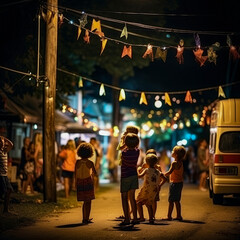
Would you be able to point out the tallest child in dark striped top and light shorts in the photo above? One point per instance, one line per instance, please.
(129, 177)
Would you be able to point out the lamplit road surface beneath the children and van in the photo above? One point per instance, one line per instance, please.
(201, 220)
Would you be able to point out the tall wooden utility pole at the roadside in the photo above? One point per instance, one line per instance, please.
(49, 160)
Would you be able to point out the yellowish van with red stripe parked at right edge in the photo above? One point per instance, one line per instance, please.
(224, 150)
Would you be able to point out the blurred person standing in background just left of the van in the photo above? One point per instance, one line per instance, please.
(202, 159)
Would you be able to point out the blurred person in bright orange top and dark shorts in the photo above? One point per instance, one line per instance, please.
(68, 154)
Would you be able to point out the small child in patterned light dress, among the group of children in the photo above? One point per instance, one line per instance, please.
(153, 180)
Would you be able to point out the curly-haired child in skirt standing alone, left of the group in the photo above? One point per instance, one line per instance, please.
(84, 171)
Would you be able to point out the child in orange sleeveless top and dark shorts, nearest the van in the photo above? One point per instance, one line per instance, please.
(176, 182)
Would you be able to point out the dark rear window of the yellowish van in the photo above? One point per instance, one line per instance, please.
(230, 142)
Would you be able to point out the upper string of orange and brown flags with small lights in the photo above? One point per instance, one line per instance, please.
(161, 52)
